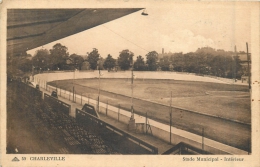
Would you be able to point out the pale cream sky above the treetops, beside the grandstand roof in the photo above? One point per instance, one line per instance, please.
(176, 27)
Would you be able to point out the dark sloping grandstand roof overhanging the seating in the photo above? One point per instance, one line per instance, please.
(31, 28)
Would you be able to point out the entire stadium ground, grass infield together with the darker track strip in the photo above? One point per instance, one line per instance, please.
(231, 102)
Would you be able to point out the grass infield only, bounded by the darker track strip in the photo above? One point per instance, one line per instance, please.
(223, 100)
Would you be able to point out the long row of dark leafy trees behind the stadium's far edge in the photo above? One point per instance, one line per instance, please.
(203, 61)
